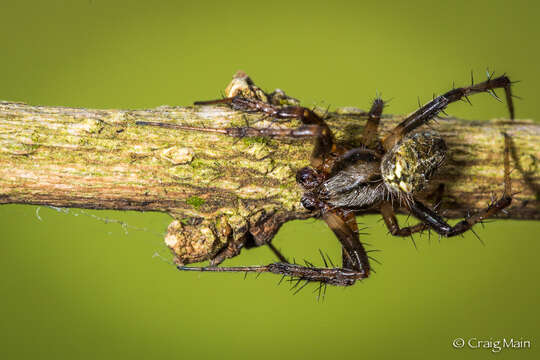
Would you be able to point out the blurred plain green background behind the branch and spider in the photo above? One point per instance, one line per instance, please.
(76, 285)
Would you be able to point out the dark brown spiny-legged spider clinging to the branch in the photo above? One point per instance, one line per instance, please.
(340, 181)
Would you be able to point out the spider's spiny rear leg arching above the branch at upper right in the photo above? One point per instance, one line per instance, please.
(432, 108)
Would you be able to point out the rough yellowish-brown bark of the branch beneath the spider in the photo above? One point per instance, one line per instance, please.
(218, 189)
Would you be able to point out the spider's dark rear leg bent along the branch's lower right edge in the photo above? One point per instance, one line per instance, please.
(438, 224)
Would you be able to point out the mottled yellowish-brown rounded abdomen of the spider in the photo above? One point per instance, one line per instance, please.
(411, 163)
